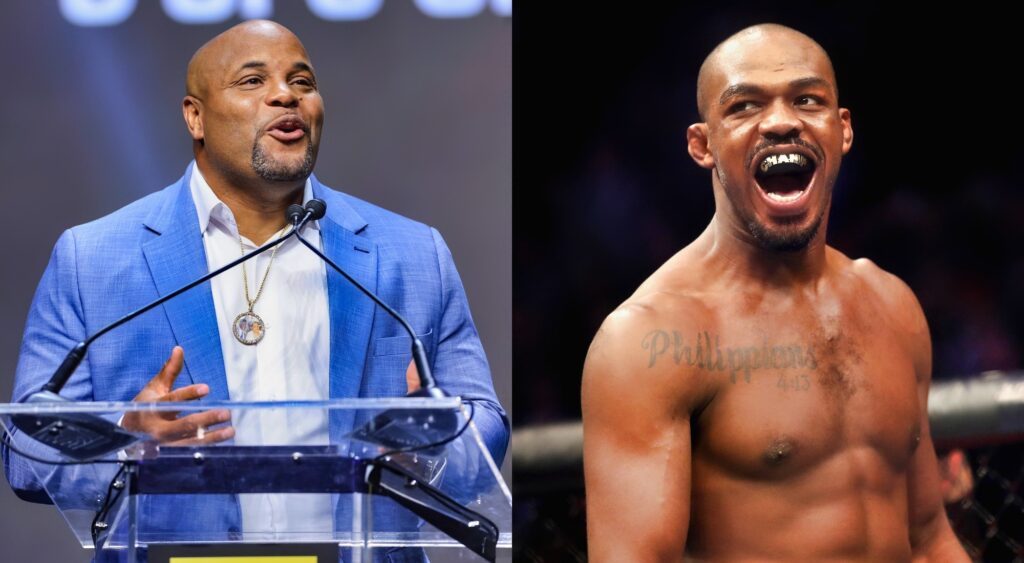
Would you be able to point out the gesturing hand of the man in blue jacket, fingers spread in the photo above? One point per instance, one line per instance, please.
(166, 427)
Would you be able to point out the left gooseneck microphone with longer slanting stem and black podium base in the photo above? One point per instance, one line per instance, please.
(87, 437)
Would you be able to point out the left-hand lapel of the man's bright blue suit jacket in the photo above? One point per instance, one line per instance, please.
(177, 256)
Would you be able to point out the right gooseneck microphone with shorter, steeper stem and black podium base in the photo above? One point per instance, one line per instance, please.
(393, 428)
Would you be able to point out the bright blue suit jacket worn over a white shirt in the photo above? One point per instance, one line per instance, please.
(104, 270)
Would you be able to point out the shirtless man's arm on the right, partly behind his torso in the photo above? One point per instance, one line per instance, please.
(932, 540)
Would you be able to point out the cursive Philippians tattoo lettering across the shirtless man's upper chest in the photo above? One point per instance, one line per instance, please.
(706, 354)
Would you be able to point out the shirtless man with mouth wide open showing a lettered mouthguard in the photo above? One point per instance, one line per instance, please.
(762, 398)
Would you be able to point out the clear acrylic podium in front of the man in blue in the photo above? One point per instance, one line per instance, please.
(392, 473)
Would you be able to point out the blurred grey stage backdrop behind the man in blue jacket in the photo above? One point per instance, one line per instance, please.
(418, 101)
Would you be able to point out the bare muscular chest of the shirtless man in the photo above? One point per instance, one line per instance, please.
(790, 394)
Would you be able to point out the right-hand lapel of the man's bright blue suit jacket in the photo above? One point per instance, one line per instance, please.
(352, 313)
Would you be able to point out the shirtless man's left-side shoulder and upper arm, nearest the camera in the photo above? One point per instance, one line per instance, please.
(637, 408)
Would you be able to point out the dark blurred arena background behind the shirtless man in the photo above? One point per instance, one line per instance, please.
(606, 193)
